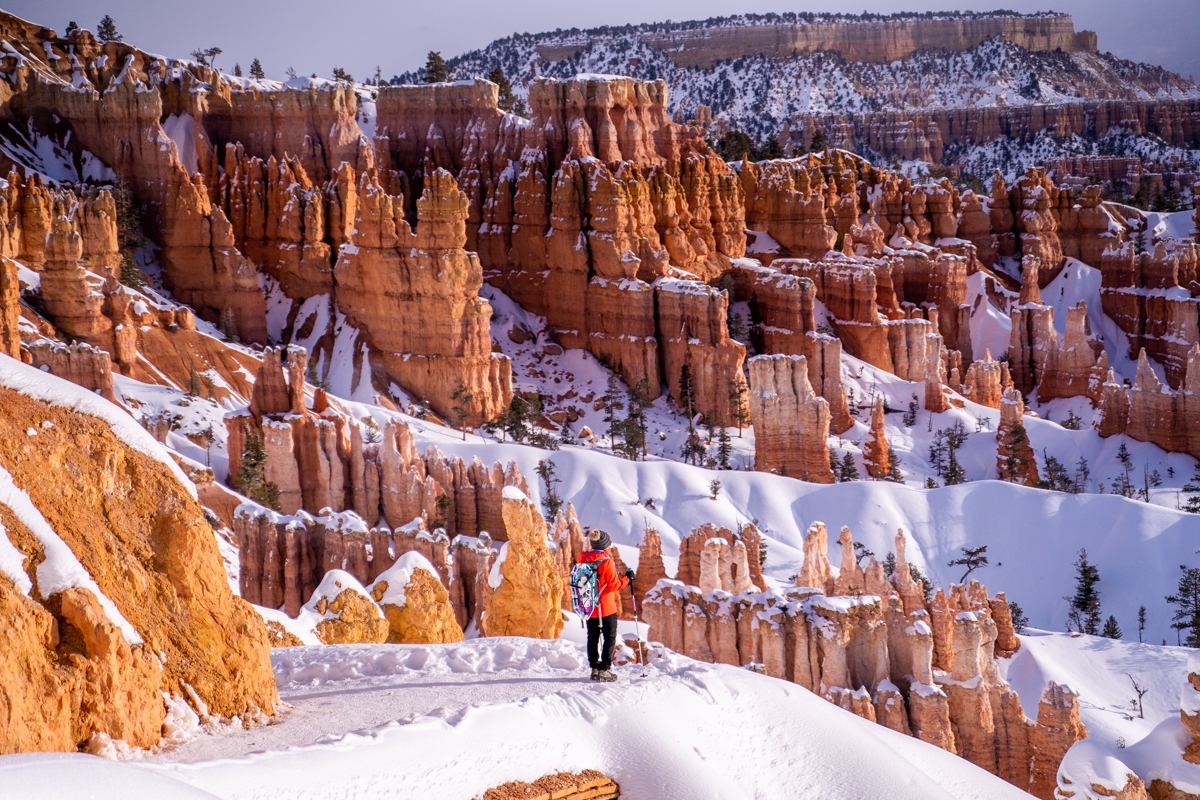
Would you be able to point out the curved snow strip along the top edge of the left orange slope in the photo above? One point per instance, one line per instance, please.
(63, 394)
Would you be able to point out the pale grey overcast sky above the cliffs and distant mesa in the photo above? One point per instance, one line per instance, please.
(395, 35)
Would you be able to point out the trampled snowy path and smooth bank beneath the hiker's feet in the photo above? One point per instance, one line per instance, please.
(397, 721)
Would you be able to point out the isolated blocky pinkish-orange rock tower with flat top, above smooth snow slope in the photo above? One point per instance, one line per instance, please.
(791, 423)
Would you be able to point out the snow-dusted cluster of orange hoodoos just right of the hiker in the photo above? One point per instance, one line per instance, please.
(873, 647)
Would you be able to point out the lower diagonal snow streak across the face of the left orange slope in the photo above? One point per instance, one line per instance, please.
(61, 569)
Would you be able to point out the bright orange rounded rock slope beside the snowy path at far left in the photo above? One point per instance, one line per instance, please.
(93, 659)
